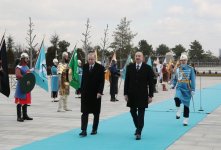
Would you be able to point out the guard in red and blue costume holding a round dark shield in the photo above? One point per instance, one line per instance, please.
(25, 84)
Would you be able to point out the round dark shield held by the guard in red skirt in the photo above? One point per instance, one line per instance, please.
(27, 83)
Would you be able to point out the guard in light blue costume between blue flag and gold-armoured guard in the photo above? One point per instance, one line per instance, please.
(54, 80)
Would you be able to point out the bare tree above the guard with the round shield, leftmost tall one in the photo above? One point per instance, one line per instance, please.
(30, 41)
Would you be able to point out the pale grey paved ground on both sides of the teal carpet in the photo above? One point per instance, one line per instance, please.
(48, 122)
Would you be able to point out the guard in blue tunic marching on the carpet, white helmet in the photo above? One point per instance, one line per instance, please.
(184, 81)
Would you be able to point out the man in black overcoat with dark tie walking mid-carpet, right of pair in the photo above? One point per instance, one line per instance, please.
(139, 77)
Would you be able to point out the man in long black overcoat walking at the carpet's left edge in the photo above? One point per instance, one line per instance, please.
(91, 90)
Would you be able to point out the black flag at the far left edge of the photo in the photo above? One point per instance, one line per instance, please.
(4, 79)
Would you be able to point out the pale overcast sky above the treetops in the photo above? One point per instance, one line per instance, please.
(170, 22)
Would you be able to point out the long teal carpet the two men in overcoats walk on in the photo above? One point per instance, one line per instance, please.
(160, 131)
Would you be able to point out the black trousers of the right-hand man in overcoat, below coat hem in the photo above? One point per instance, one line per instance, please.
(138, 118)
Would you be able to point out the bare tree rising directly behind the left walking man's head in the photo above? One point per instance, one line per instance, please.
(86, 43)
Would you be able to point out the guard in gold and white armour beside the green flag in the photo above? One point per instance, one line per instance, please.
(64, 87)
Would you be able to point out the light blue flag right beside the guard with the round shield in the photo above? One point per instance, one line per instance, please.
(40, 70)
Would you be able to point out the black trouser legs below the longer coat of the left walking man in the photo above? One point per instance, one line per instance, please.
(84, 121)
